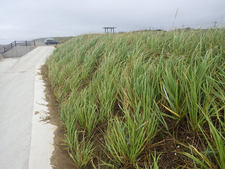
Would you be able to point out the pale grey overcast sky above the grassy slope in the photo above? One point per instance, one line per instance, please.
(28, 19)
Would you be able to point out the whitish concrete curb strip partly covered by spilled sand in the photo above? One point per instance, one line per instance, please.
(42, 136)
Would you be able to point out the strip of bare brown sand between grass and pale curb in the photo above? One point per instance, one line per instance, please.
(60, 157)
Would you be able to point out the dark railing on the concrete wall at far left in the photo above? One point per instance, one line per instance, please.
(17, 43)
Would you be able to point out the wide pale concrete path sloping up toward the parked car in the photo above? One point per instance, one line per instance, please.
(17, 79)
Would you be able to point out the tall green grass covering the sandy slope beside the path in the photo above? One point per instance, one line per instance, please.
(143, 99)
